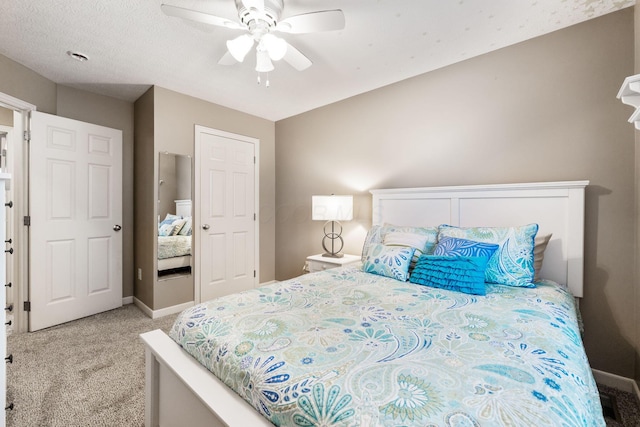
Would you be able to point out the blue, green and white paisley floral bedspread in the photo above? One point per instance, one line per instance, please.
(347, 348)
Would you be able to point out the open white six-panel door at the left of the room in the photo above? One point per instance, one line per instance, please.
(75, 202)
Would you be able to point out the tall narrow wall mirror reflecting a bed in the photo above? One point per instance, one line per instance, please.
(174, 216)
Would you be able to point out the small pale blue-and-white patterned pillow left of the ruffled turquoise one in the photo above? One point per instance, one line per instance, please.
(390, 261)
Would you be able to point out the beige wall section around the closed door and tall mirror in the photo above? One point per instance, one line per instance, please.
(174, 117)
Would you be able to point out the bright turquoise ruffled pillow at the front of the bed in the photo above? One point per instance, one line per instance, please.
(455, 273)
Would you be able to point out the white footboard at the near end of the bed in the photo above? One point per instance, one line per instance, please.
(180, 391)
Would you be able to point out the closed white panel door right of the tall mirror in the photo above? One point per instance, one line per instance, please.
(227, 193)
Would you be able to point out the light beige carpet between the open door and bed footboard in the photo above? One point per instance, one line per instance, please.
(89, 372)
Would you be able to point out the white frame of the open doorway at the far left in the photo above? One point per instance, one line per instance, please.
(19, 291)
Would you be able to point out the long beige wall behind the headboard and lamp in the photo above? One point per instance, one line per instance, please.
(542, 110)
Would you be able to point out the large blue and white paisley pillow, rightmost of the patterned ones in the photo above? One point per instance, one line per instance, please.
(512, 264)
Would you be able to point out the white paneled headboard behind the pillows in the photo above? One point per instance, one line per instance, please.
(557, 207)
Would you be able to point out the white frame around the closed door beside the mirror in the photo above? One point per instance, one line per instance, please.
(196, 203)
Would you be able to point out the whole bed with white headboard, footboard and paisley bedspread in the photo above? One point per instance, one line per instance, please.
(350, 347)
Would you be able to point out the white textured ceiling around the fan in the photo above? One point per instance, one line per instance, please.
(133, 45)
